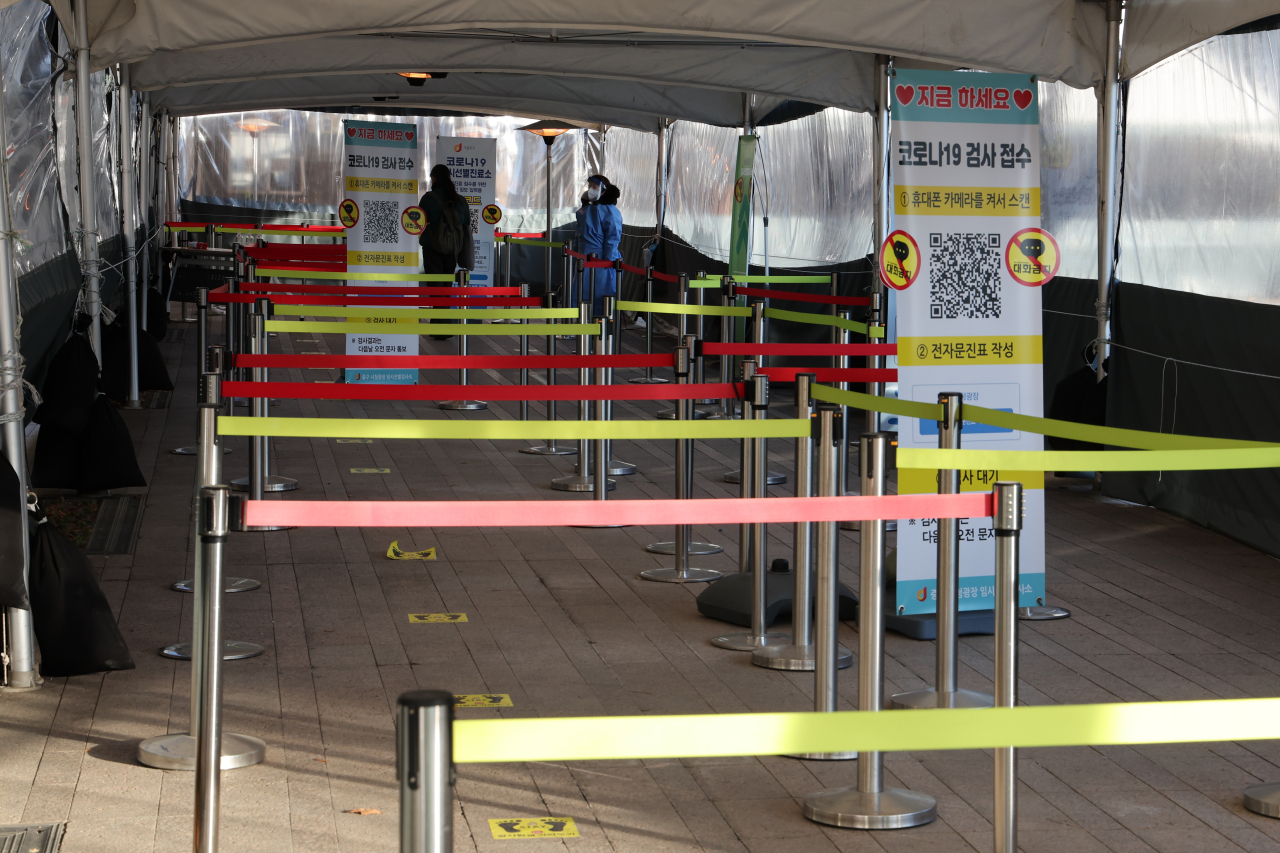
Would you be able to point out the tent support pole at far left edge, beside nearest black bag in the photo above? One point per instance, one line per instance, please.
(21, 642)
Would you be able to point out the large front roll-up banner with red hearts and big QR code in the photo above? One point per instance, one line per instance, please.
(966, 165)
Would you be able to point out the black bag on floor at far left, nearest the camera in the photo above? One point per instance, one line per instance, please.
(75, 626)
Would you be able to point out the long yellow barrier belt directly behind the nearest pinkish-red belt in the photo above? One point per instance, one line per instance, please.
(511, 430)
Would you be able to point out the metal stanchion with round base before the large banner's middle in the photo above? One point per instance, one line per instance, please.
(947, 692)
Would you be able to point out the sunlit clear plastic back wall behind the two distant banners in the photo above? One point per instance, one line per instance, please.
(295, 162)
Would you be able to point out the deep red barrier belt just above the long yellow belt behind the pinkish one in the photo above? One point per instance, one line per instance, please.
(355, 391)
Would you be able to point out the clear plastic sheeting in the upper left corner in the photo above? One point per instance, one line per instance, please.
(29, 70)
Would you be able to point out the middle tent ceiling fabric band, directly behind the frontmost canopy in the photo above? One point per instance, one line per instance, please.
(820, 76)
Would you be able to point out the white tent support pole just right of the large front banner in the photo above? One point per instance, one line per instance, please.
(1108, 162)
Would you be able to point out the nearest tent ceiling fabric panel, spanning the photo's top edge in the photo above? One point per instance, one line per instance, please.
(1055, 39)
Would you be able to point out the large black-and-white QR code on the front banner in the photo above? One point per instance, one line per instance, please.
(964, 276)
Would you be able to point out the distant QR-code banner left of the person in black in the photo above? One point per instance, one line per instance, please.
(381, 166)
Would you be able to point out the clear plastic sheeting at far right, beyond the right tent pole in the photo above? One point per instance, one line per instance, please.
(1201, 209)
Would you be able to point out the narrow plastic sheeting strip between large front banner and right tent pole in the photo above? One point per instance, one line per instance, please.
(1069, 175)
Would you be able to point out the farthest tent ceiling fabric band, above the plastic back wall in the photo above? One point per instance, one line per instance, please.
(582, 99)
